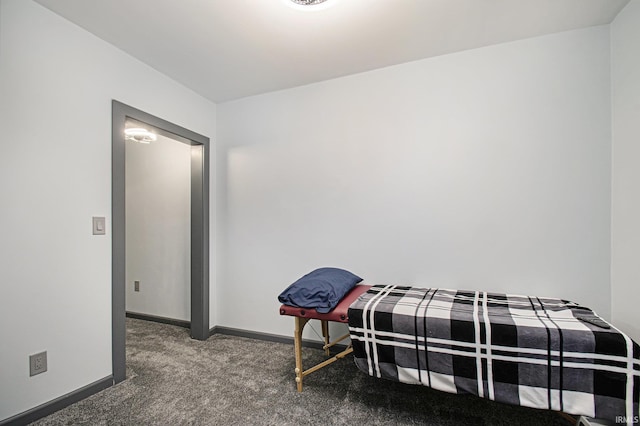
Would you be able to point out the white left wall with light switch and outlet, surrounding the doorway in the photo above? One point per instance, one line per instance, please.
(56, 86)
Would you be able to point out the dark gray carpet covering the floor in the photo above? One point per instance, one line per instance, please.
(173, 380)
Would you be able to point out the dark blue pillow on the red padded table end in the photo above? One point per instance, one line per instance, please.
(321, 289)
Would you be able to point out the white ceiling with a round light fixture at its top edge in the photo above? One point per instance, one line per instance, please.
(228, 49)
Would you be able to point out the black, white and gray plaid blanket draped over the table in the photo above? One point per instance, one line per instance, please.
(529, 351)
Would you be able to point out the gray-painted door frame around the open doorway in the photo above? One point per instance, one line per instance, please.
(199, 226)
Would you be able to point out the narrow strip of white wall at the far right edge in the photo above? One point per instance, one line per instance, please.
(625, 253)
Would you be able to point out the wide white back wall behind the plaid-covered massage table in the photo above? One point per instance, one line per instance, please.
(486, 169)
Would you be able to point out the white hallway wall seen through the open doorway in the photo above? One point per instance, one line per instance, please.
(158, 232)
